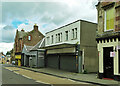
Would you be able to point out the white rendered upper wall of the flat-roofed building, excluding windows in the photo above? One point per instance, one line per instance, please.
(62, 30)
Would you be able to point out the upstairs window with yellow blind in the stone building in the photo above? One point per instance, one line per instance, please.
(109, 19)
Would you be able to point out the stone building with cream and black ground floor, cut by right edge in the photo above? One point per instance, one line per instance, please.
(108, 39)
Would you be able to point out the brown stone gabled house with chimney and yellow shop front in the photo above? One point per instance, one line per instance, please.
(25, 38)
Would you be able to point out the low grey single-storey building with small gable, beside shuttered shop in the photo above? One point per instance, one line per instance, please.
(33, 55)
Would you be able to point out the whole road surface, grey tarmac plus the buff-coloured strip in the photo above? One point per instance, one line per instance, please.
(14, 75)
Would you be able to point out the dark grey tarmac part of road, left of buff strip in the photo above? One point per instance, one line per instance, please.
(11, 78)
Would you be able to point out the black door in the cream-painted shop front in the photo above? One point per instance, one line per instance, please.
(108, 62)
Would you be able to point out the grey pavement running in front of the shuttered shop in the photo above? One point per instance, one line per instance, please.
(88, 78)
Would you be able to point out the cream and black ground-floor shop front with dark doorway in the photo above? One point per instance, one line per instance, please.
(109, 57)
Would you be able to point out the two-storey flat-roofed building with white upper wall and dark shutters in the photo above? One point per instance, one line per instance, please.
(72, 47)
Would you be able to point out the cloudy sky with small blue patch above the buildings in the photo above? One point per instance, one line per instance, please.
(47, 14)
